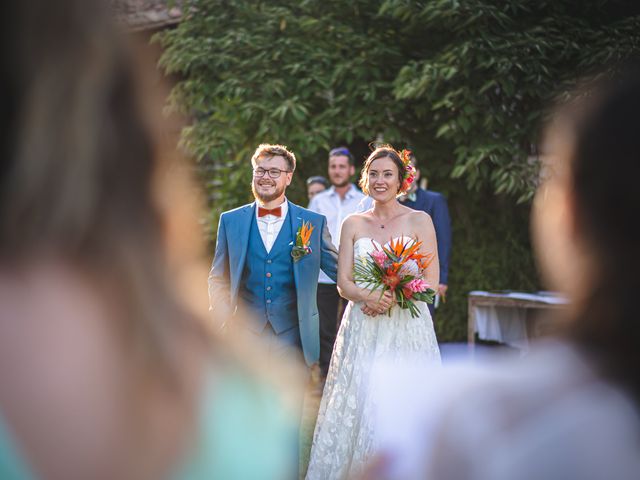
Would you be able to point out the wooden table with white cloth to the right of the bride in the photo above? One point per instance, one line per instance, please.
(510, 300)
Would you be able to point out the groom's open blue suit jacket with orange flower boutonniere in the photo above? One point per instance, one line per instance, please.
(231, 254)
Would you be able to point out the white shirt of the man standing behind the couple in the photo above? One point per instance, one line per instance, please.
(336, 209)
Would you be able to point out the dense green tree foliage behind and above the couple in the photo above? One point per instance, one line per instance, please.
(466, 83)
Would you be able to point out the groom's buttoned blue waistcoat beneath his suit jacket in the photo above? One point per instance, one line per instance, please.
(268, 285)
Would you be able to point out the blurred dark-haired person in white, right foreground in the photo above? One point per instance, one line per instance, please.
(572, 409)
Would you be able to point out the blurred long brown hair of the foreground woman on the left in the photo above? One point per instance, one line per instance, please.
(77, 159)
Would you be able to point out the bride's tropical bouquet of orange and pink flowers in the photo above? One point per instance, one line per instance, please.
(397, 267)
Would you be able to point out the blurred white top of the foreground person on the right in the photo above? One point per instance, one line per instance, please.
(550, 402)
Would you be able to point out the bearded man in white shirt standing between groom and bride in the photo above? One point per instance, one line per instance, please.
(336, 203)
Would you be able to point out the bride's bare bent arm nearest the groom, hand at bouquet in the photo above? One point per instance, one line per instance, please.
(346, 286)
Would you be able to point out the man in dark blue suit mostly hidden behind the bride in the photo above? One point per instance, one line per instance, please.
(435, 204)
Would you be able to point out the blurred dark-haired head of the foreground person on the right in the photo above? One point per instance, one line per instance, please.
(585, 221)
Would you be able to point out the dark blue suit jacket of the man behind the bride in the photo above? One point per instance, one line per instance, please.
(435, 204)
